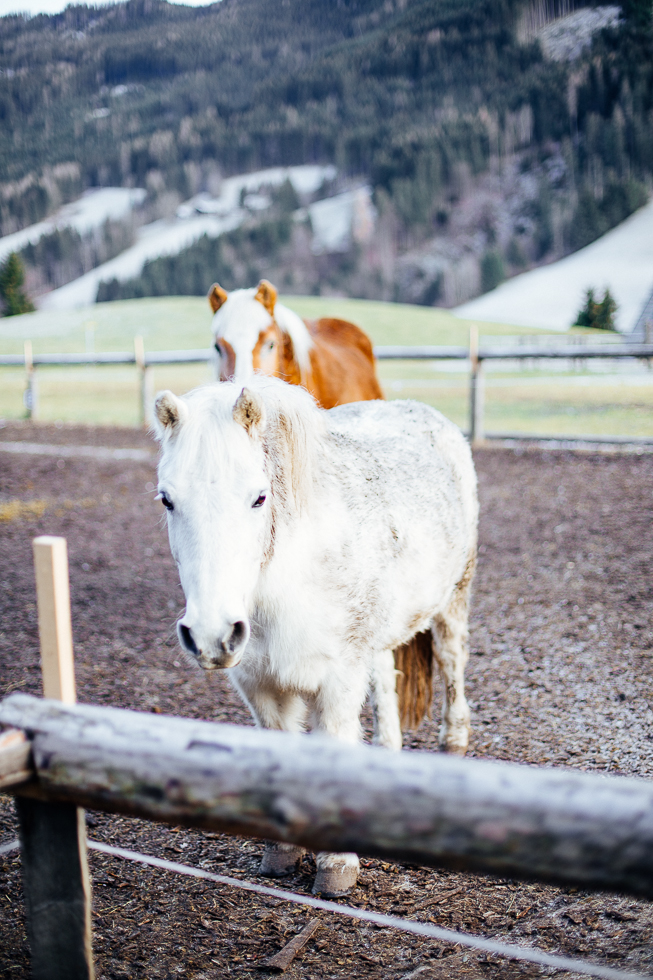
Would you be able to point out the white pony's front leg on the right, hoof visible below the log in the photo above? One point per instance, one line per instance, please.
(336, 712)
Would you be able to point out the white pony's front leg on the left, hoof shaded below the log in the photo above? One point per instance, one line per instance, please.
(273, 707)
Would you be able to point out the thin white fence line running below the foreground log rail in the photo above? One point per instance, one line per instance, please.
(426, 930)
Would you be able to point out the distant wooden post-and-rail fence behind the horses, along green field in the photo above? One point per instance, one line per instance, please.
(474, 354)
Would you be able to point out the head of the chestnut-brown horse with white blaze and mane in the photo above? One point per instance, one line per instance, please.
(252, 333)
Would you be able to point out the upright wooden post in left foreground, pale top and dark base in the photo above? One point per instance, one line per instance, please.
(53, 835)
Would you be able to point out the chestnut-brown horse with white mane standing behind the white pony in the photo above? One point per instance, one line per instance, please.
(332, 358)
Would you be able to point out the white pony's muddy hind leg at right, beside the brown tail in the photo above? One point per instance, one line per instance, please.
(451, 650)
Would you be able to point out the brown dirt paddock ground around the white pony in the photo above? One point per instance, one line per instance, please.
(561, 674)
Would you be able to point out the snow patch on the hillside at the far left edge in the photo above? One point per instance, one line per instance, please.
(90, 211)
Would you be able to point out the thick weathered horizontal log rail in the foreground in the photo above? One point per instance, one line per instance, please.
(547, 824)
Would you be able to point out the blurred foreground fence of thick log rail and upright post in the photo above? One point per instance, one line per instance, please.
(545, 824)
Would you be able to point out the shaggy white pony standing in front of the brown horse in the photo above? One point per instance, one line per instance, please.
(311, 544)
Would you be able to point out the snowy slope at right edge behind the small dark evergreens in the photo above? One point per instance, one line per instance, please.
(551, 296)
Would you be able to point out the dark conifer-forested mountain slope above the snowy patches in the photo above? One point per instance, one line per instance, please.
(484, 154)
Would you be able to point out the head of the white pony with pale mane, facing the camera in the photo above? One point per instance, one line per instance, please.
(233, 465)
